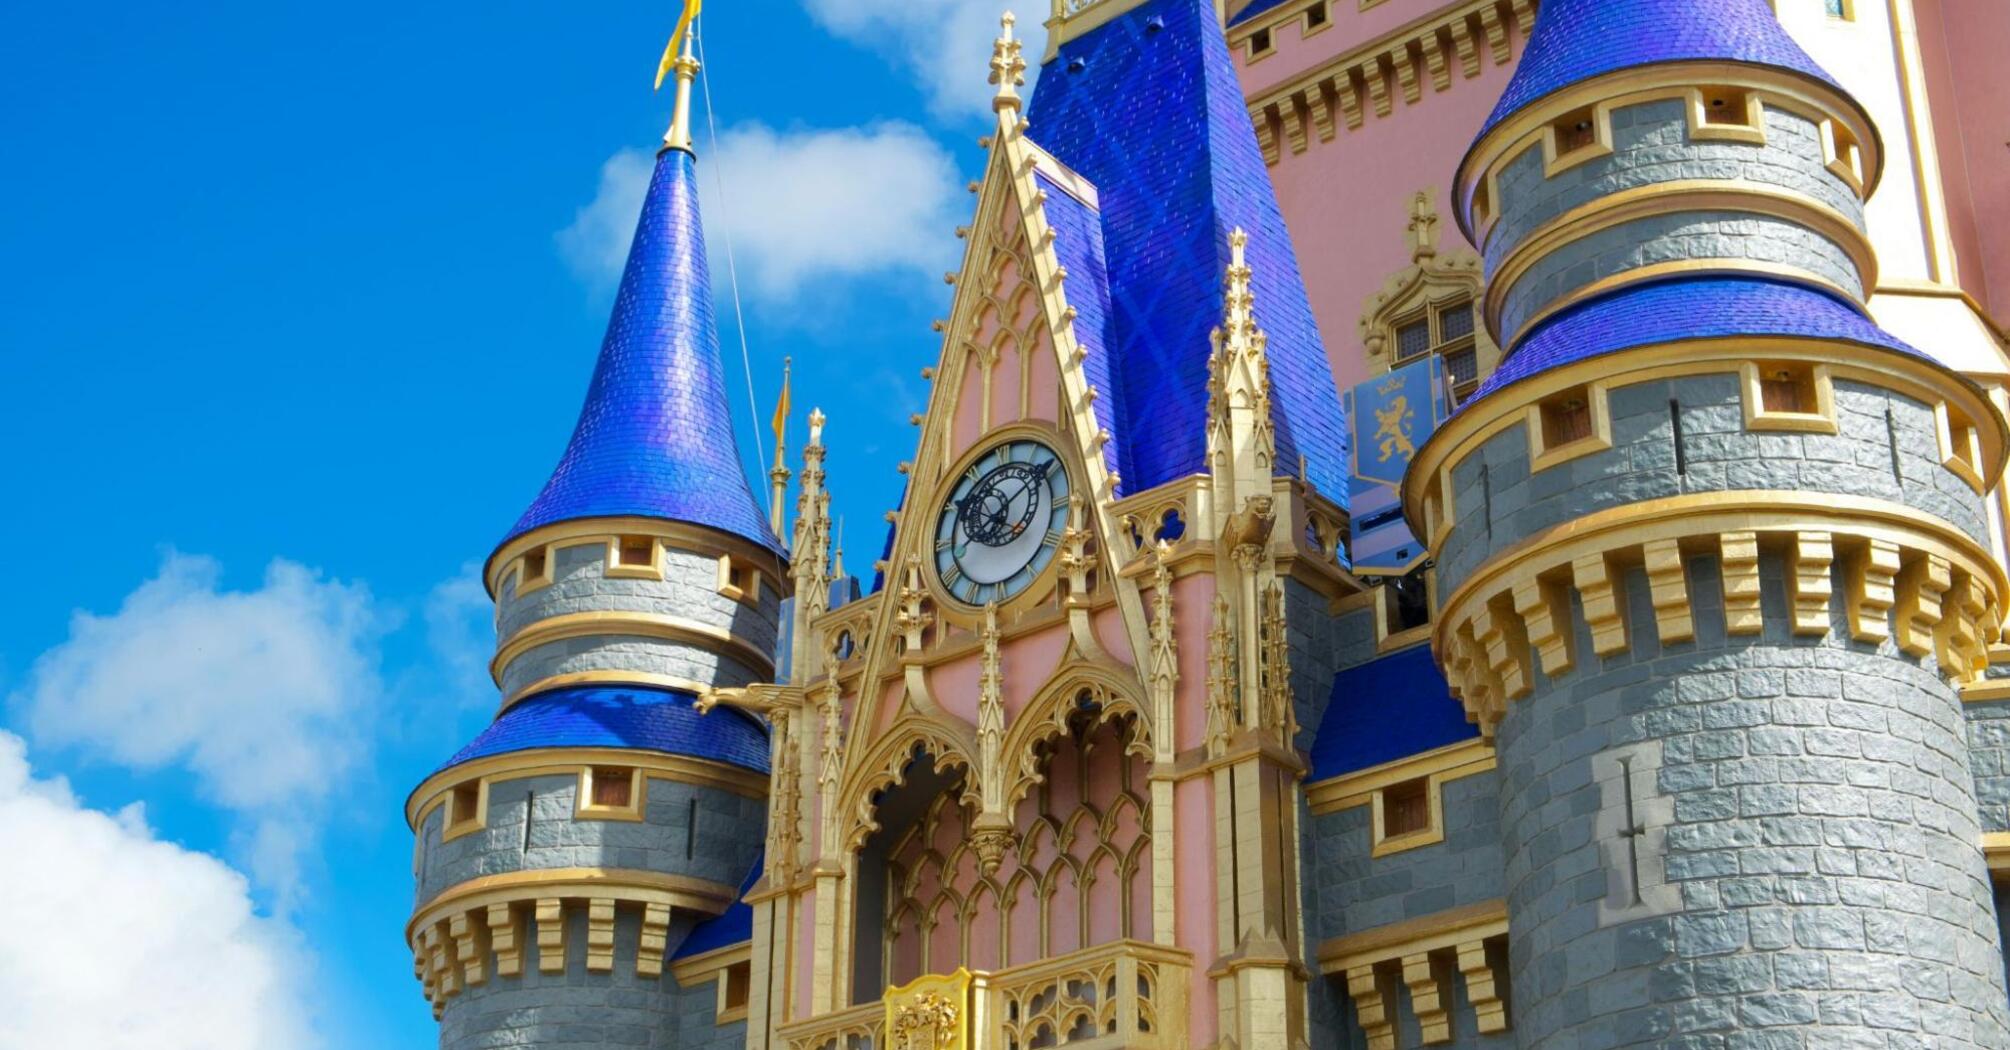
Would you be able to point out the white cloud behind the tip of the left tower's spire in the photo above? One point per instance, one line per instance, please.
(807, 210)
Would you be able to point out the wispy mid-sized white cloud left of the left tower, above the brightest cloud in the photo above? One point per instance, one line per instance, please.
(268, 697)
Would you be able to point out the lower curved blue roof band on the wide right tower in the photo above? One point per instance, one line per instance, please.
(1677, 311)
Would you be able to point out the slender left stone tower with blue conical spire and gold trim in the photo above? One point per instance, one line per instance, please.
(604, 824)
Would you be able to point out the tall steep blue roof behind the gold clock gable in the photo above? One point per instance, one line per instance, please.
(1149, 110)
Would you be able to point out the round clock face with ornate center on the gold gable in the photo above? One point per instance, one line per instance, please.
(1002, 522)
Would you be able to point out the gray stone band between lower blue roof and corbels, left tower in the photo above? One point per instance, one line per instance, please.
(725, 848)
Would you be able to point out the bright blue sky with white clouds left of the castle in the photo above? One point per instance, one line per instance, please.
(296, 309)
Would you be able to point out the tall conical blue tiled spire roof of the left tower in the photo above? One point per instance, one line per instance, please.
(656, 435)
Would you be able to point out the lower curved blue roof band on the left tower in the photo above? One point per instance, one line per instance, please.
(622, 717)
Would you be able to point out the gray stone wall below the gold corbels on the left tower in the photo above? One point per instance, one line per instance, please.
(580, 1011)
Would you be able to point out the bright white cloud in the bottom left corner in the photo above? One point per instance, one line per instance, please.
(118, 940)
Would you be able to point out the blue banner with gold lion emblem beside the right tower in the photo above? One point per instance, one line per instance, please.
(1392, 417)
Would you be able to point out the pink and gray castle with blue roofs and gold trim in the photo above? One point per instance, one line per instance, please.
(1299, 631)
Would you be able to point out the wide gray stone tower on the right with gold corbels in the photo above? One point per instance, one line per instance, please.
(1714, 556)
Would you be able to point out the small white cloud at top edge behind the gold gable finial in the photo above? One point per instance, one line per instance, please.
(944, 43)
